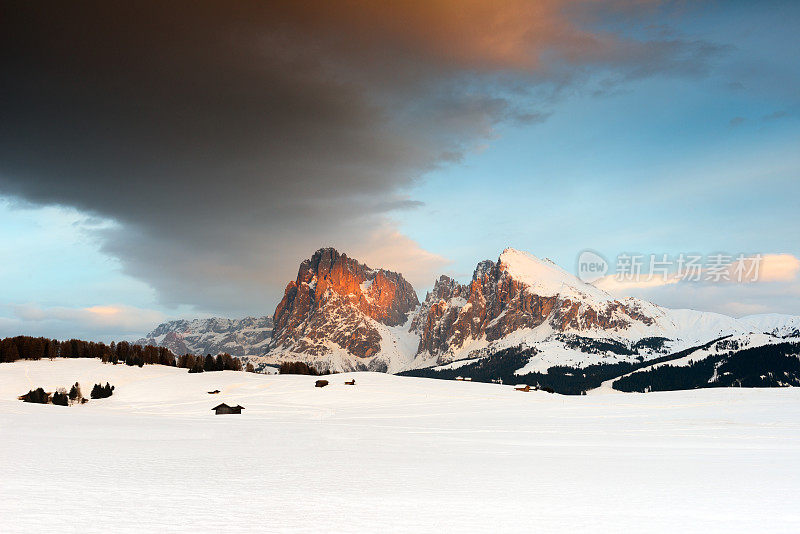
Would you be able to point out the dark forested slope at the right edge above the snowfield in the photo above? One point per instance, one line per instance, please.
(774, 365)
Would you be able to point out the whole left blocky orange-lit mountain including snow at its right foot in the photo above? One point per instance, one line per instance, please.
(341, 315)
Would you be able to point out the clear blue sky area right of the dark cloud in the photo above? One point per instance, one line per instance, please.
(663, 165)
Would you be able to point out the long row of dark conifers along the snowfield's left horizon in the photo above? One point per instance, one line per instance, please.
(39, 348)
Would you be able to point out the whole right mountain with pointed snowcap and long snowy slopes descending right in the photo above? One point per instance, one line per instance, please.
(524, 301)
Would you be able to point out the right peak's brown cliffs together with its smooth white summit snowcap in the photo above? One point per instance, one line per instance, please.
(517, 292)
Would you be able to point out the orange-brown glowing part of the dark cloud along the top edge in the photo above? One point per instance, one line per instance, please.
(512, 34)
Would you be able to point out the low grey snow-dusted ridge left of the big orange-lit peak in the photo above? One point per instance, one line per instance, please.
(238, 337)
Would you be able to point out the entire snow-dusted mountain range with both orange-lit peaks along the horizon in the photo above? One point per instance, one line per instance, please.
(340, 315)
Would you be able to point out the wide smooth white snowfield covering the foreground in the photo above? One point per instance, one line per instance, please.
(392, 454)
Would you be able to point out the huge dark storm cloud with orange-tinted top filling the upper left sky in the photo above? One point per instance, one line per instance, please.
(231, 139)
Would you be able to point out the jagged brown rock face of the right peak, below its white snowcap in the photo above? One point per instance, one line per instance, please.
(496, 303)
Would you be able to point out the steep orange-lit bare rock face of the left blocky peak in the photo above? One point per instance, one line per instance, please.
(331, 303)
